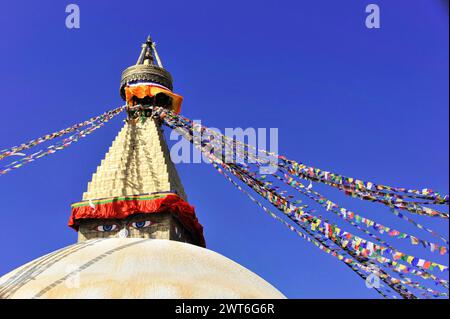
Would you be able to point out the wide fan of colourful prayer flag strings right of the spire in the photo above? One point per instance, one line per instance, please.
(358, 253)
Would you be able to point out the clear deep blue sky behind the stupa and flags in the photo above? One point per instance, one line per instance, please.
(372, 104)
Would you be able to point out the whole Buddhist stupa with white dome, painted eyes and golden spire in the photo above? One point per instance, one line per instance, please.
(138, 237)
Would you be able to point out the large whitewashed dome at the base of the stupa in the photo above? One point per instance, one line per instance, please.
(134, 268)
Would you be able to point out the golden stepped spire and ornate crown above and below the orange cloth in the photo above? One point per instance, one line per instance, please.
(138, 161)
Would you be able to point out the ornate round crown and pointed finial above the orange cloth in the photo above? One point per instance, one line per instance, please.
(145, 70)
